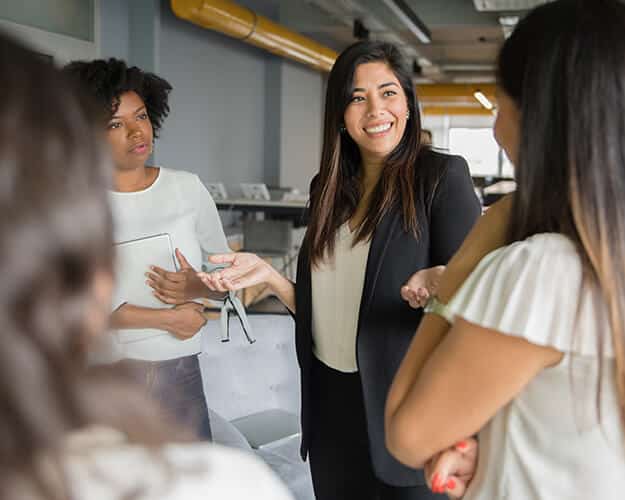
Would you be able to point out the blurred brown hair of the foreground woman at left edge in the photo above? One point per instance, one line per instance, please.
(55, 237)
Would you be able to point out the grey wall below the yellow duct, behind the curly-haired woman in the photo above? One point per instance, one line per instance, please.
(238, 113)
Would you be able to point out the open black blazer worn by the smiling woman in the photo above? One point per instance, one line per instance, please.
(386, 323)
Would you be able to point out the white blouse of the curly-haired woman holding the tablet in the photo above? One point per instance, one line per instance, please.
(176, 203)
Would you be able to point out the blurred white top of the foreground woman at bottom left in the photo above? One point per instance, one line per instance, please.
(102, 465)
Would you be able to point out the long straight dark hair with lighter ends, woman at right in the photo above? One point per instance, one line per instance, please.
(564, 66)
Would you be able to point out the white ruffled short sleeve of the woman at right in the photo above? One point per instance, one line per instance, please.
(534, 289)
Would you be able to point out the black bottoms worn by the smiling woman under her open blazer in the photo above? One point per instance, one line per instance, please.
(340, 460)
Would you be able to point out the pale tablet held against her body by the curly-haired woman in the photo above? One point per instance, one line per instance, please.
(133, 259)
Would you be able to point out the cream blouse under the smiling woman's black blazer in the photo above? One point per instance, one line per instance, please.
(337, 284)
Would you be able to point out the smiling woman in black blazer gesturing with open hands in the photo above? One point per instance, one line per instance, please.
(381, 208)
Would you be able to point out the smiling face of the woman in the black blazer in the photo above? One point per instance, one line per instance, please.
(375, 117)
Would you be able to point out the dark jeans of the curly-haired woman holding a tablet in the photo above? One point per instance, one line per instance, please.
(177, 385)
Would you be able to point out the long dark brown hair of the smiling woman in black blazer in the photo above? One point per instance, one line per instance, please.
(335, 195)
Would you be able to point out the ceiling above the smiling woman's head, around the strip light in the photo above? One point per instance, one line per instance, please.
(465, 34)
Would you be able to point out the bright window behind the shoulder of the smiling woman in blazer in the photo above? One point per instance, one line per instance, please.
(479, 148)
